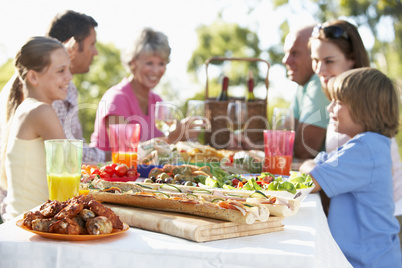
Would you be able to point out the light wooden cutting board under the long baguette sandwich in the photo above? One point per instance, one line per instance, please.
(191, 227)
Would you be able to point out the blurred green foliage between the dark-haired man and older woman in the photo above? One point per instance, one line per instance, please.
(106, 71)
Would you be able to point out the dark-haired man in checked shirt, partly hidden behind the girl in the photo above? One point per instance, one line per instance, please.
(77, 32)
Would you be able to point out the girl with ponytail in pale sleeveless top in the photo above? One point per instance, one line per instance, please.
(43, 76)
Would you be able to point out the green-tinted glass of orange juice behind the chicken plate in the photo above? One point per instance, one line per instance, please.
(63, 168)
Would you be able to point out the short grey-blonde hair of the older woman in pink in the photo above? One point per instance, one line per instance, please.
(149, 42)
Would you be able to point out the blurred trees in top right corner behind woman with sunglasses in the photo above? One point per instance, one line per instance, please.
(385, 54)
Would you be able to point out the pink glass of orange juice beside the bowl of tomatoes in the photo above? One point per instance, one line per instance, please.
(124, 139)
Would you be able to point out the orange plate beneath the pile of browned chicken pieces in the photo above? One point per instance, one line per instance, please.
(72, 237)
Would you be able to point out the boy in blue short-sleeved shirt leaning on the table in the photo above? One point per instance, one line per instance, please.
(358, 176)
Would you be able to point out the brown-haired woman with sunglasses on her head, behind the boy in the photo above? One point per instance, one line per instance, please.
(336, 47)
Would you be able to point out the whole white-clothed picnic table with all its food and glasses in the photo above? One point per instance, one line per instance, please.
(175, 204)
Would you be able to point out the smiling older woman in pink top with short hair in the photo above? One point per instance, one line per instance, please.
(131, 101)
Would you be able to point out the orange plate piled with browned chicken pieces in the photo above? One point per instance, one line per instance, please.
(80, 218)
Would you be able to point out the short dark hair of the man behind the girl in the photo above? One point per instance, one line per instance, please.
(71, 24)
